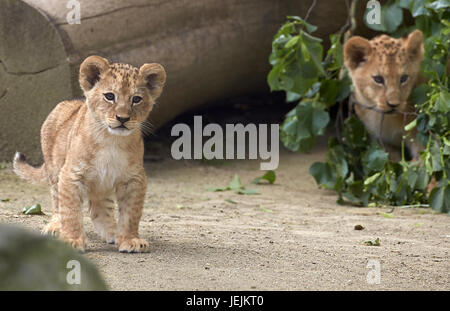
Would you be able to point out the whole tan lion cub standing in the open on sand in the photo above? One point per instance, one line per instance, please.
(88, 158)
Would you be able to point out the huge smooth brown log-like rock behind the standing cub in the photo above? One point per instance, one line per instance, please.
(211, 50)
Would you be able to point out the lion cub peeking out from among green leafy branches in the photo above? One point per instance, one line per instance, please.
(391, 59)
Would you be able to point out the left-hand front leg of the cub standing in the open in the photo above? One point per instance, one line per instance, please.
(70, 199)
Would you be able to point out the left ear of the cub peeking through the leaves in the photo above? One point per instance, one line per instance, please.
(356, 50)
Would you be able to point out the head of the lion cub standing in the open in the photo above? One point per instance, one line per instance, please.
(119, 95)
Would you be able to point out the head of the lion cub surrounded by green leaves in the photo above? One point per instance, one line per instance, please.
(384, 70)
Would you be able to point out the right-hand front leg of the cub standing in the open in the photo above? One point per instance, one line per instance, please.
(130, 198)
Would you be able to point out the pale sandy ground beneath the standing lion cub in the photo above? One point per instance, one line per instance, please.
(292, 236)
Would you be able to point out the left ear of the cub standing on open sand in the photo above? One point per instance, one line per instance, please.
(91, 70)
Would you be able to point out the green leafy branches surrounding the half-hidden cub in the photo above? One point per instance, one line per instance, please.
(357, 168)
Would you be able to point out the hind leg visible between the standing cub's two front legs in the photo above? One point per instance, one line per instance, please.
(101, 211)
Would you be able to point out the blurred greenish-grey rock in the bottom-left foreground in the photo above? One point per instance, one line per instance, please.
(33, 262)
